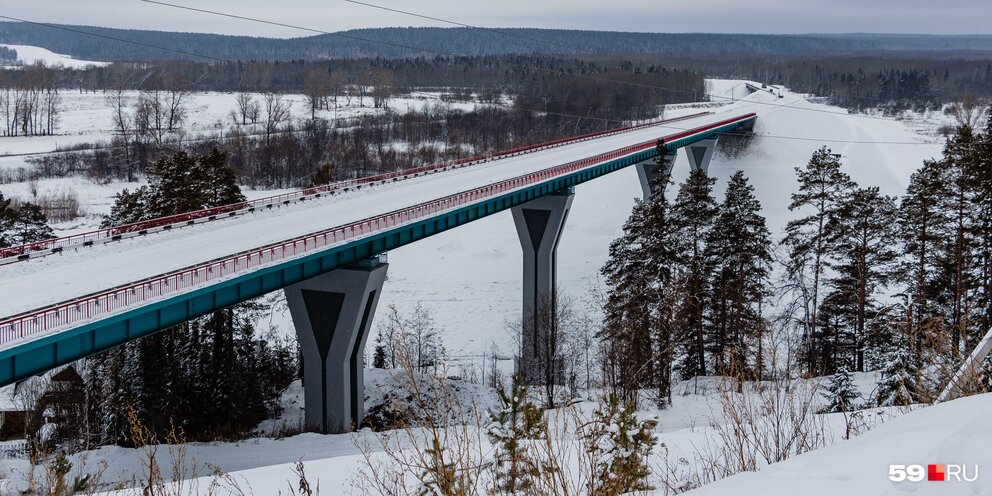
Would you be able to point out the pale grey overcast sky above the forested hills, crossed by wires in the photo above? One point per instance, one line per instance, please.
(716, 16)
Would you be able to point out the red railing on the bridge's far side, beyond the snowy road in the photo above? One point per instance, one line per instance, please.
(22, 252)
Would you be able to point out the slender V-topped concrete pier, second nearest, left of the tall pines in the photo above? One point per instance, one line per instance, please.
(539, 226)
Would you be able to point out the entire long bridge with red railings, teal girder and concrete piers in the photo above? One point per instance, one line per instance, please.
(65, 299)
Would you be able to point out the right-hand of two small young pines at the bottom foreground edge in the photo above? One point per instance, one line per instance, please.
(621, 445)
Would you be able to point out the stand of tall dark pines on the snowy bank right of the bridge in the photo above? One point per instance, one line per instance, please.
(870, 282)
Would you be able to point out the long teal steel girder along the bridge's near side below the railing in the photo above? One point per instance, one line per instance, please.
(27, 358)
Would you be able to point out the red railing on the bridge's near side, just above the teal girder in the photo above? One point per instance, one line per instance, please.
(80, 310)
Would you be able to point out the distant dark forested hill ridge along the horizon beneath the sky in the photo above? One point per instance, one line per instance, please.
(429, 42)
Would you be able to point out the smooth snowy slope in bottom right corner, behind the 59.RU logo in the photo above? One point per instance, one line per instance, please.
(955, 432)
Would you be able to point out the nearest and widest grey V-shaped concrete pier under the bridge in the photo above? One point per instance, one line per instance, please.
(332, 314)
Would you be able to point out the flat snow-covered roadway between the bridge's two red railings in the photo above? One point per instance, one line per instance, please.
(37, 283)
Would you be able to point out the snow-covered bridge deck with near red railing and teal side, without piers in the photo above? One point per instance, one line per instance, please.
(72, 275)
